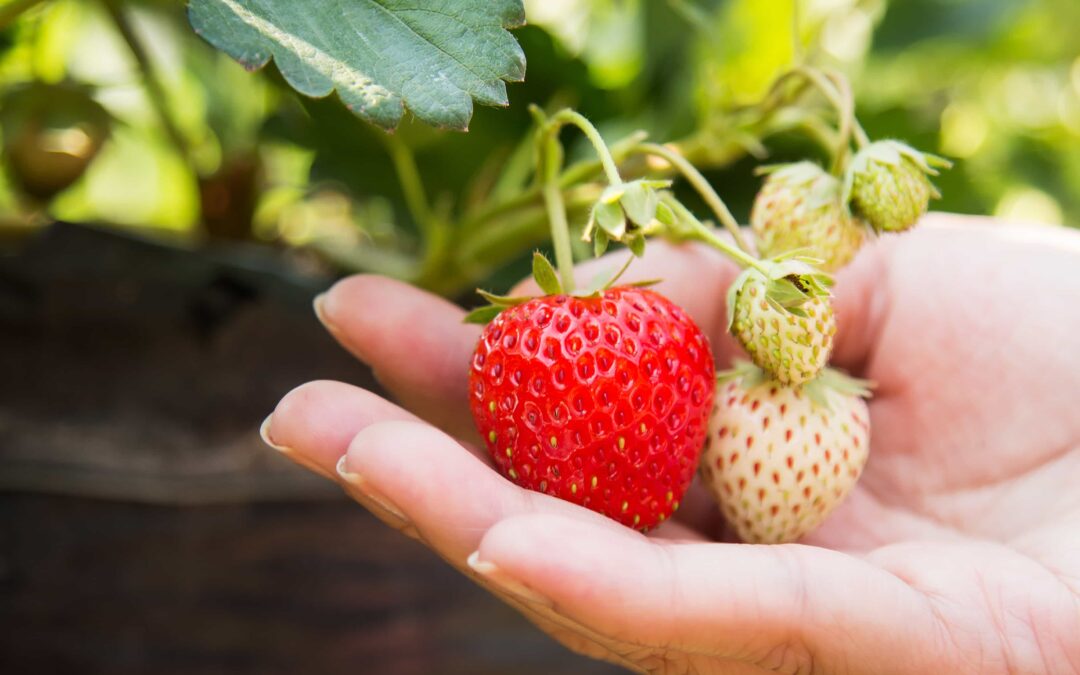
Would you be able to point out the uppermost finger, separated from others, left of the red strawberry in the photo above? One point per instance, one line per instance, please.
(415, 343)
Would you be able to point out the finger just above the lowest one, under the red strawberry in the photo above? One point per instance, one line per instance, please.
(448, 494)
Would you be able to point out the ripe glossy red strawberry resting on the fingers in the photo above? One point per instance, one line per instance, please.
(602, 401)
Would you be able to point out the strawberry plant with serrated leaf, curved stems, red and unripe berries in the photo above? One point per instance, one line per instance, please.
(600, 396)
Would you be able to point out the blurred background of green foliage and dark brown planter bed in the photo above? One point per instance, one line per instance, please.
(167, 218)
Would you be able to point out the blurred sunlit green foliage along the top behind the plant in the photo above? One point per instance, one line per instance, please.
(214, 153)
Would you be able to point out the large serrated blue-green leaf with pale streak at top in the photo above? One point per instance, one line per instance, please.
(434, 58)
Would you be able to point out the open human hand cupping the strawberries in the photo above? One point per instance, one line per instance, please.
(958, 551)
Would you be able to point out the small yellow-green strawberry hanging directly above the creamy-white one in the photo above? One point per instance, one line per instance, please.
(784, 319)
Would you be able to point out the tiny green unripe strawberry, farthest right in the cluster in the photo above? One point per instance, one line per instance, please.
(887, 185)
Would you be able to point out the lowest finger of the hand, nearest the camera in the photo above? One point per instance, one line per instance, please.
(768, 606)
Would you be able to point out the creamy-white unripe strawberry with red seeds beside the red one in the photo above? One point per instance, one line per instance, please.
(780, 460)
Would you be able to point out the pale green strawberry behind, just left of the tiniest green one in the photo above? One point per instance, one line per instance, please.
(800, 209)
